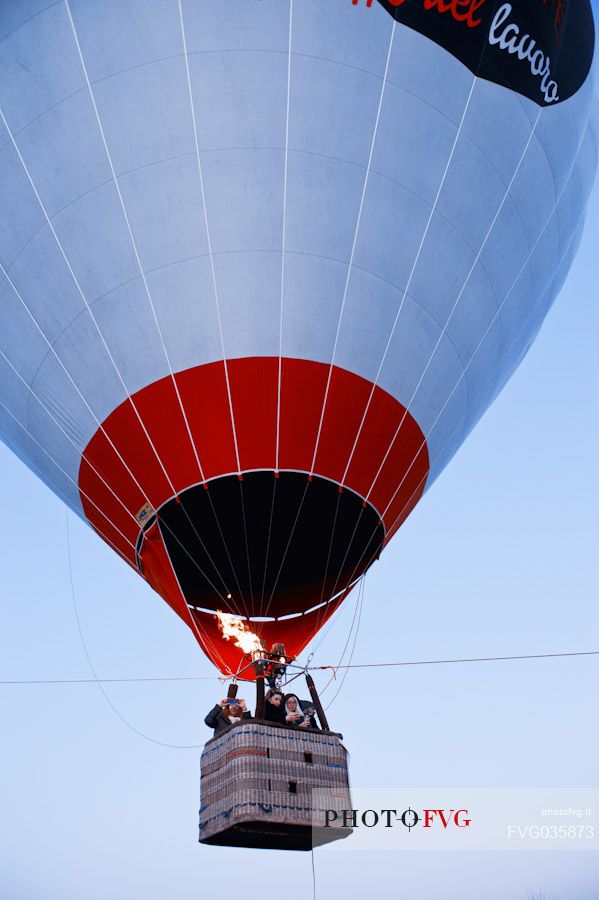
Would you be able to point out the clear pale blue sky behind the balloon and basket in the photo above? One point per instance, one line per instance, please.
(499, 558)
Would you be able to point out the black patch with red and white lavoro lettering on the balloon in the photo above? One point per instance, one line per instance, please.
(543, 49)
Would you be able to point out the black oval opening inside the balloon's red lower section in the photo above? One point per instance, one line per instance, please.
(277, 545)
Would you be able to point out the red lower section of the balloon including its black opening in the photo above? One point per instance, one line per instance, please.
(315, 523)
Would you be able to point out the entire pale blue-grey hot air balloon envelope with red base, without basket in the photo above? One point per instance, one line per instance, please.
(265, 263)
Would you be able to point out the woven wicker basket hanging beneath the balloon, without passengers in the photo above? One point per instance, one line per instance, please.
(265, 785)
